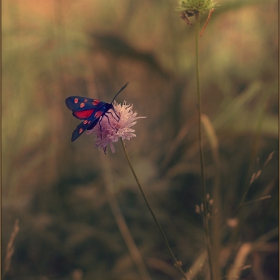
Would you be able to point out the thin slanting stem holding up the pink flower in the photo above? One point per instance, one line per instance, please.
(176, 262)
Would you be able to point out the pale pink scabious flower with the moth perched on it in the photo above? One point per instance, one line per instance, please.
(115, 124)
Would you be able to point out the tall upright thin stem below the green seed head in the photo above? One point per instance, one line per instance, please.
(204, 199)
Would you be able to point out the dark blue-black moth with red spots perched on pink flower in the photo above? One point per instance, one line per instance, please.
(91, 111)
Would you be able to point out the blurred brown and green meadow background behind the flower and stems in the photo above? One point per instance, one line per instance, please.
(67, 196)
